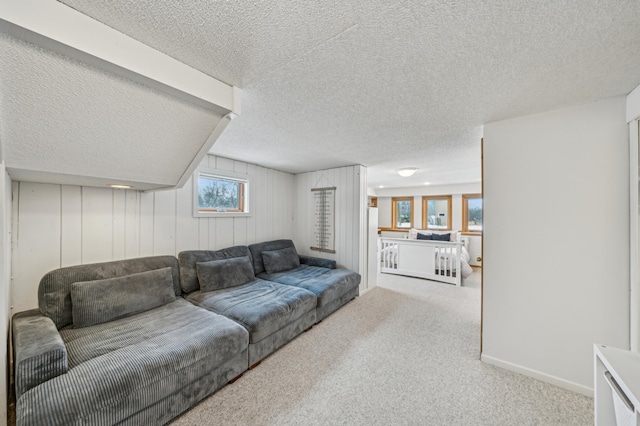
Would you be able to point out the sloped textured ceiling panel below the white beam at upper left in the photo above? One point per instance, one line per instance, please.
(63, 120)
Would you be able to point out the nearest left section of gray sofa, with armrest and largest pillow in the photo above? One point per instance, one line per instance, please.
(112, 343)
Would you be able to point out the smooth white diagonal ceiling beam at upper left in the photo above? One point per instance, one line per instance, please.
(57, 27)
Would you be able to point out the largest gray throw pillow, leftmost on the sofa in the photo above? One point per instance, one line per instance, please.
(100, 301)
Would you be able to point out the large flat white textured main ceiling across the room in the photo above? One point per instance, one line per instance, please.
(388, 84)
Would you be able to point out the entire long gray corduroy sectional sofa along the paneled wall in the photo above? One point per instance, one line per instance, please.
(140, 341)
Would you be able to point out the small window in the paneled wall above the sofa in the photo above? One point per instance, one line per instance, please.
(218, 194)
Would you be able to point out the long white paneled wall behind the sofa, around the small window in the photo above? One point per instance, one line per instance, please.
(59, 225)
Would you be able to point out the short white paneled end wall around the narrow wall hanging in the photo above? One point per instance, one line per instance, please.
(350, 214)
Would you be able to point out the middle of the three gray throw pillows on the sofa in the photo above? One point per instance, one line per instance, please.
(223, 273)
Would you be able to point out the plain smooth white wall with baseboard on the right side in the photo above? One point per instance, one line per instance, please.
(556, 280)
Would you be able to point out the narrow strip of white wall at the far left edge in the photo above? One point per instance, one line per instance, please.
(5, 286)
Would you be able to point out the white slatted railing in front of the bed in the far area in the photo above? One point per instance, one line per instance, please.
(433, 260)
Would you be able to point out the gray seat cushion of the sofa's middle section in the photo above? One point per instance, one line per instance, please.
(262, 307)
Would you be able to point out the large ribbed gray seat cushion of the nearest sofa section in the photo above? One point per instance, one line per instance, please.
(126, 366)
